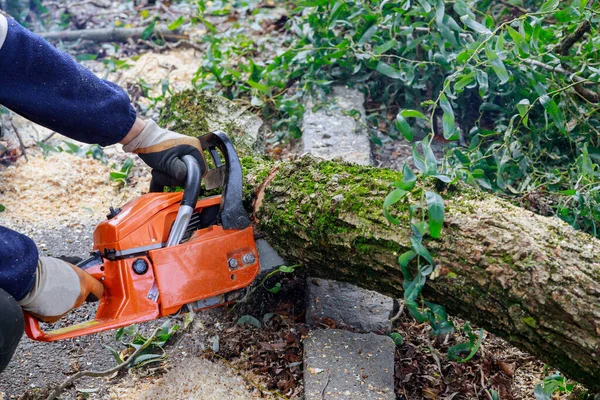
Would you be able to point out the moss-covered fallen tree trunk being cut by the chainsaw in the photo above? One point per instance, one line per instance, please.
(532, 280)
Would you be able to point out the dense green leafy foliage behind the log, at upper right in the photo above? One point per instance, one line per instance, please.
(485, 75)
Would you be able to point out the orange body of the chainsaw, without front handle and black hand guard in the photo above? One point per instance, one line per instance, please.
(145, 280)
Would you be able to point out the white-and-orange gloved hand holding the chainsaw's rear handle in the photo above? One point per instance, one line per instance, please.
(58, 288)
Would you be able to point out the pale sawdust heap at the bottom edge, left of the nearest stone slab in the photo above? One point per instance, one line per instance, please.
(193, 379)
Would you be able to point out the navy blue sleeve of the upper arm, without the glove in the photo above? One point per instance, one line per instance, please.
(48, 87)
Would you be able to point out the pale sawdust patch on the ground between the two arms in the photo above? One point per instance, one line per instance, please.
(61, 189)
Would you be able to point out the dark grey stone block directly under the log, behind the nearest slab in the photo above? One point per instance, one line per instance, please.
(348, 306)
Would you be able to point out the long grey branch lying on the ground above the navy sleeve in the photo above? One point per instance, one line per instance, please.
(111, 34)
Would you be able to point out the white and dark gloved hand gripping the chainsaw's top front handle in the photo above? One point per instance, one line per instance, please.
(162, 150)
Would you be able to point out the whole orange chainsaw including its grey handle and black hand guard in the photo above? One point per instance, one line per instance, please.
(166, 251)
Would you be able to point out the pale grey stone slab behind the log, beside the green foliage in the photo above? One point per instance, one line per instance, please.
(332, 132)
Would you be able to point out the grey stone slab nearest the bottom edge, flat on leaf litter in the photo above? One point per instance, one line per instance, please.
(342, 365)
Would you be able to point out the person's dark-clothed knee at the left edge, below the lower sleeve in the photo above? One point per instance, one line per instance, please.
(11, 327)
